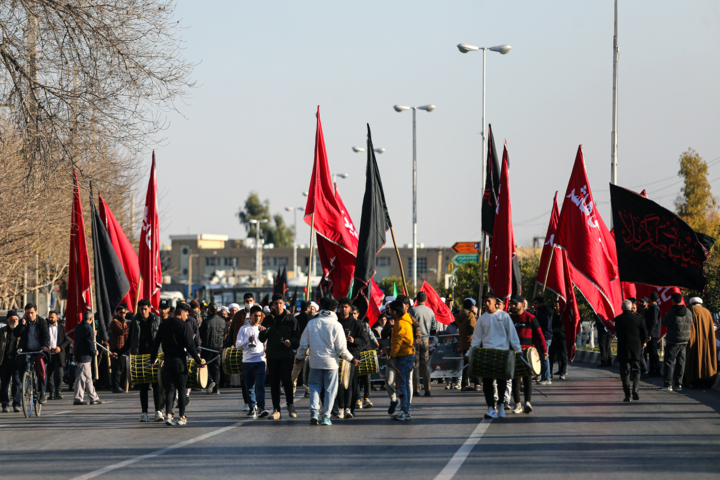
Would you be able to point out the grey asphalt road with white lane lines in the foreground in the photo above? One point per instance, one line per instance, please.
(582, 430)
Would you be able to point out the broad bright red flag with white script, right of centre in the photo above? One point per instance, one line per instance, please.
(590, 247)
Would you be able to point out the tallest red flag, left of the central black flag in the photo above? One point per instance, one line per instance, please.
(336, 234)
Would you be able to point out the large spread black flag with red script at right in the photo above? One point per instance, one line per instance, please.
(655, 246)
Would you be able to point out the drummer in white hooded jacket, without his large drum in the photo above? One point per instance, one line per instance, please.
(495, 329)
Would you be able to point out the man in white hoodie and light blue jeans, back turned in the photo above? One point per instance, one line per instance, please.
(324, 339)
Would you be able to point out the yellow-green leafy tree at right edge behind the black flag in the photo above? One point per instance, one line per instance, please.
(696, 203)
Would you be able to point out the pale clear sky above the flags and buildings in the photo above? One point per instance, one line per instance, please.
(264, 67)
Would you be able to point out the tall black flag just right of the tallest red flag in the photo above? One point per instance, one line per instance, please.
(374, 223)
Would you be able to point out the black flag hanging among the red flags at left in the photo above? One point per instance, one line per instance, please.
(111, 283)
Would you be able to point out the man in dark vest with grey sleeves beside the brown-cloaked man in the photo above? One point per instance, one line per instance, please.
(678, 321)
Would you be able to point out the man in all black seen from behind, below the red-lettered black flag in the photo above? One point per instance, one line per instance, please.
(631, 335)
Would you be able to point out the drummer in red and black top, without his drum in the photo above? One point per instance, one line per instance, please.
(530, 334)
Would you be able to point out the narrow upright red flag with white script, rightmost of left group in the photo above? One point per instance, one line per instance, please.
(149, 257)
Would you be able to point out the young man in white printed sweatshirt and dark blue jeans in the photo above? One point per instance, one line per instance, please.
(253, 363)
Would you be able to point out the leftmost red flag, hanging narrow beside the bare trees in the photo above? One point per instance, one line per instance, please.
(78, 296)
